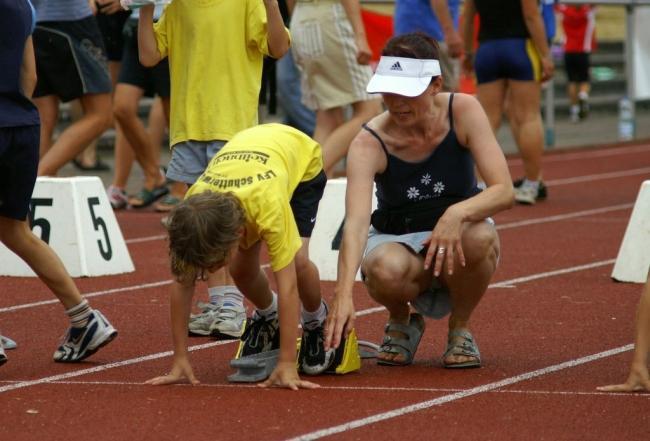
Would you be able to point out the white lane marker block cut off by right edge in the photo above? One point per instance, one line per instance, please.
(633, 260)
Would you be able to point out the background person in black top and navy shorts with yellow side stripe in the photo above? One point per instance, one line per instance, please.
(512, 60)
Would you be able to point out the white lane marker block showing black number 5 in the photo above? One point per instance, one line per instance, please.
(74, 217)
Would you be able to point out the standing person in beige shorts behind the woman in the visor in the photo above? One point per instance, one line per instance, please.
(330, 48)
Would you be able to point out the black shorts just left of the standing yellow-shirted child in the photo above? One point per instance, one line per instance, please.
(153, 80)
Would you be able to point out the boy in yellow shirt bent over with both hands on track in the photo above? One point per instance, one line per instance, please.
(264, 186)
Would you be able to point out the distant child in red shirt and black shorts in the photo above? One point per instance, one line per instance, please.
(578, 24)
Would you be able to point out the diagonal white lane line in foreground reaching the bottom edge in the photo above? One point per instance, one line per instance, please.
(353, 424)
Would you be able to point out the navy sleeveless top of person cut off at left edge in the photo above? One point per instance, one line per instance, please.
(16, 24)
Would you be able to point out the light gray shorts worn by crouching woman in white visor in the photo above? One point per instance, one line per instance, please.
(435, 302)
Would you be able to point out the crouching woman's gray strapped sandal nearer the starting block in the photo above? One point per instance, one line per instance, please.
(405, 346)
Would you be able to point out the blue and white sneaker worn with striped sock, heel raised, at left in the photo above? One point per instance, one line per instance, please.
(80, 343)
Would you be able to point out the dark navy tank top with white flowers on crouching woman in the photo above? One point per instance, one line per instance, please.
(431, 185)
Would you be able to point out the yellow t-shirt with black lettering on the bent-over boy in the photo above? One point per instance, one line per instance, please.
(263, 166)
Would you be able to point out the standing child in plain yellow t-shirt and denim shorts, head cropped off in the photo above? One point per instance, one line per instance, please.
(215, 50)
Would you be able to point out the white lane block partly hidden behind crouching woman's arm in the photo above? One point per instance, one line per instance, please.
(326, 238)
